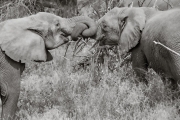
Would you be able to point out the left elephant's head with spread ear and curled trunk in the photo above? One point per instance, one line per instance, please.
(29, 38)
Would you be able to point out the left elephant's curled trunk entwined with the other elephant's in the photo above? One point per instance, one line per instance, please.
(81, 25)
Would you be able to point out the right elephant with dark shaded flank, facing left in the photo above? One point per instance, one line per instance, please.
(135, 29)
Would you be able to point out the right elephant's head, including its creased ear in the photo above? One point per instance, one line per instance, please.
(123, 26)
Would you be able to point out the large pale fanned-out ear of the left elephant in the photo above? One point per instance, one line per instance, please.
(22, 39)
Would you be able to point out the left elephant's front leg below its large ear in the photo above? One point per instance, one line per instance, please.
(10, 85)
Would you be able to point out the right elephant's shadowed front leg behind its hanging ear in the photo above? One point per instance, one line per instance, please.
(140, 65)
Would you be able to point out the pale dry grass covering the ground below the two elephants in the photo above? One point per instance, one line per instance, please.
(51, 93)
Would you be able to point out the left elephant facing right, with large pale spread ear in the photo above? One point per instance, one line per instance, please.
(28, 39)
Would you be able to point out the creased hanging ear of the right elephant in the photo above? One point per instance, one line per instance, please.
(131, 24)
